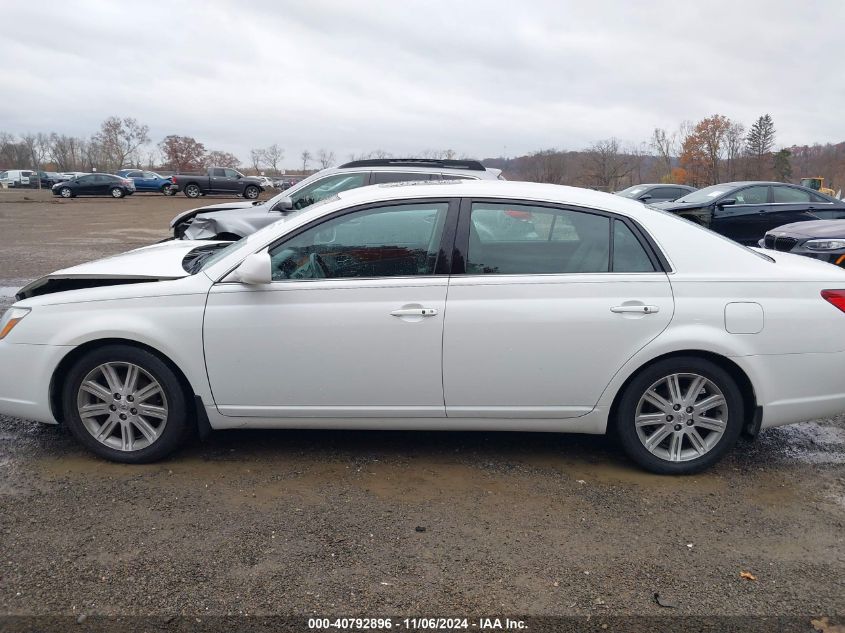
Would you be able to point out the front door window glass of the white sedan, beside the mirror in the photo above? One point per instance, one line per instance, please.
(399, 240)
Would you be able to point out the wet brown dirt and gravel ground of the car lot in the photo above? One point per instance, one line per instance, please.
(378, 523)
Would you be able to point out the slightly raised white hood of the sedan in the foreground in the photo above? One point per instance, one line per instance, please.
(149, 263)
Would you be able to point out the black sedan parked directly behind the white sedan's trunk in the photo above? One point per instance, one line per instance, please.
(745, 211)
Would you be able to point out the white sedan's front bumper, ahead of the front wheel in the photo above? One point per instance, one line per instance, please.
(25, 375)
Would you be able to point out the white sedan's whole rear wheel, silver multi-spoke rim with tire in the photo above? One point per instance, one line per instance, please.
(679, 416)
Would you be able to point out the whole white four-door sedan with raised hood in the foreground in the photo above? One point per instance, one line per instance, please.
(463, 305)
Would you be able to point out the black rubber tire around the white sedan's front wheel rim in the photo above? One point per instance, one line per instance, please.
(179, 422)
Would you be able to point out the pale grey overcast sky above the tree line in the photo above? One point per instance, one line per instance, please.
(483, 78)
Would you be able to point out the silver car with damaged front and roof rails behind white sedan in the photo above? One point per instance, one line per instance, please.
(233, 220)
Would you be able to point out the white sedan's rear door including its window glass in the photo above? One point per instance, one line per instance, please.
(553, 303)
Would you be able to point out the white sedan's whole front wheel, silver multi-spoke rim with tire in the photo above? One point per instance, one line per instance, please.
(125, 404)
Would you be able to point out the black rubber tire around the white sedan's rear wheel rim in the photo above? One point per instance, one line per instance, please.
(624, 422)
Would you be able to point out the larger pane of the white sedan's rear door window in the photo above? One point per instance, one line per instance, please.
(523, 239)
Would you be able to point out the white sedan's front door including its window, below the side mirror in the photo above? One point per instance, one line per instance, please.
(351, 325)
